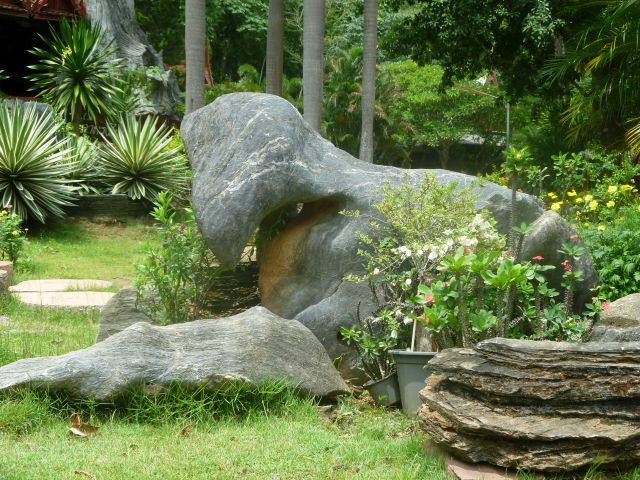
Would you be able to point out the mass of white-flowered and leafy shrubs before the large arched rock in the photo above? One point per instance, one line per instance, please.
(441, 263)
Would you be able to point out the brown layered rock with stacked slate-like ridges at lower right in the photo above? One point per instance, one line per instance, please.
(547, 406)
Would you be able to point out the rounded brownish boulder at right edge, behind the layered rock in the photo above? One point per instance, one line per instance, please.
(620, 322)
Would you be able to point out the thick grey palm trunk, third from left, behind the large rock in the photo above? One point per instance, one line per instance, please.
(313, 61)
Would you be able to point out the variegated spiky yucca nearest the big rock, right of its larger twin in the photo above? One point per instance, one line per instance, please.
(136, 159)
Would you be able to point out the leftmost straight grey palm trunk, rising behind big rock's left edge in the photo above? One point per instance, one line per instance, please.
(195, 51)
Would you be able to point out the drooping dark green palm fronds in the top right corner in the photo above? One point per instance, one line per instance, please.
(602, 62)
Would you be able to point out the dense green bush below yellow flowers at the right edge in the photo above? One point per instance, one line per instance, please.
(616, 252)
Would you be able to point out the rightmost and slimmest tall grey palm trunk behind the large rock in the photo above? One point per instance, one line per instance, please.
(368, 97)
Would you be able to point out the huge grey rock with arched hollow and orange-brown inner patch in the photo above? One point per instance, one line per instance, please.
(257, 163)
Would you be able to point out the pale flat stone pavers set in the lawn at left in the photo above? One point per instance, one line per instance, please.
(63, 293)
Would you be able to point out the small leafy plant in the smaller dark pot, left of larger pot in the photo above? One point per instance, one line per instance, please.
(373, 338)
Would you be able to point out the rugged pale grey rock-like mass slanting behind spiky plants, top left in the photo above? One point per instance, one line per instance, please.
(117, 19)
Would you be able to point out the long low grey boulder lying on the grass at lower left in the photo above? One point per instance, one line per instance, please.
(251, 347)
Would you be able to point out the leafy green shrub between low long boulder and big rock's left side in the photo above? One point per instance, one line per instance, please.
(175, 277)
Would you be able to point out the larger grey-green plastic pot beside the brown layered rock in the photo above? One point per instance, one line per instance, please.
(412, 375)
